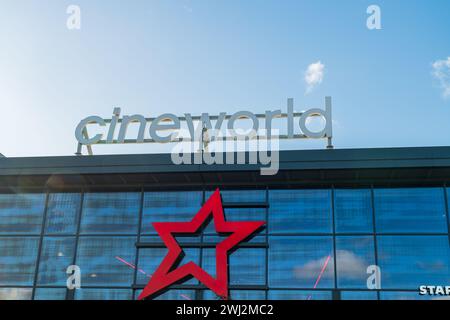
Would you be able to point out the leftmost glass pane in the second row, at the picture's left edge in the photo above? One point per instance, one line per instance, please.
(18, 260)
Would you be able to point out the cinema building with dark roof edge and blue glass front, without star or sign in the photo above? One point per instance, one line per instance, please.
(332, 217)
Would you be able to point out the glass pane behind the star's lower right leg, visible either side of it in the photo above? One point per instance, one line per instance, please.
(247, 266)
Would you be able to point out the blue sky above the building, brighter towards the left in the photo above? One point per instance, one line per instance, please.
(152, 57)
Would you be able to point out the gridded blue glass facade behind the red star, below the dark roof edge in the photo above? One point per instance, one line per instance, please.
(317, 244)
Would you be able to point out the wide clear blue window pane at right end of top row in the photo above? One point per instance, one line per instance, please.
(410, 210)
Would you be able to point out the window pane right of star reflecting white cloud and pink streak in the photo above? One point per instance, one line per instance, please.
(301, 262)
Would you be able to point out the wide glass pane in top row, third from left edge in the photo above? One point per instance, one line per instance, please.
(110, 213)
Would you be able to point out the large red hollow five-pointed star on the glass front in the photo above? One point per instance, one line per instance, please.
(166, 275)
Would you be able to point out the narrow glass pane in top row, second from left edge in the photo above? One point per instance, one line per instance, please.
(62, 213)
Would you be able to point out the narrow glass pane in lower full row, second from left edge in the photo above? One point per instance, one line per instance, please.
(56, 255)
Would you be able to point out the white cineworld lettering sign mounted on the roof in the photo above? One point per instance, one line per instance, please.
(167, 127)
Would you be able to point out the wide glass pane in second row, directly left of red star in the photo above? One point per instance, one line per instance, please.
(106, 261)
